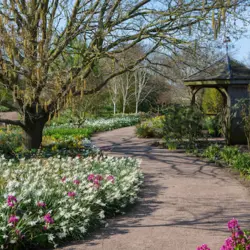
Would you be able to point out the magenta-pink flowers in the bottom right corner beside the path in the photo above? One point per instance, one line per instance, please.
(238, 240)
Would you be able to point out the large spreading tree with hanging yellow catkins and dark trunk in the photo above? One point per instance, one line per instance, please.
(49, 48)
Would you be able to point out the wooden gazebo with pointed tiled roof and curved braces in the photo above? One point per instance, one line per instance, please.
(231, 78)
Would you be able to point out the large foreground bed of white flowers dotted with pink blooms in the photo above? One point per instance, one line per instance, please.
(46, 201)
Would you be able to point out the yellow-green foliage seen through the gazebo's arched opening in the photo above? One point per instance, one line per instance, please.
(212, 101)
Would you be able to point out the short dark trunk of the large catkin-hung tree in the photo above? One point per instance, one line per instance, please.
(33, 133)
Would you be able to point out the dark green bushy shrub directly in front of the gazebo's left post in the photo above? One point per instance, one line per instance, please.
(183, 125)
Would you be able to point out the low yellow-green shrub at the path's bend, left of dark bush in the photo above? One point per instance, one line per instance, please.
(151, 128)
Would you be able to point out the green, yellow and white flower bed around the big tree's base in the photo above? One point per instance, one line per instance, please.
(65, 139)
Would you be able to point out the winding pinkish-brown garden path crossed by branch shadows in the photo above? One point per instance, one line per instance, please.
(185, 201)
